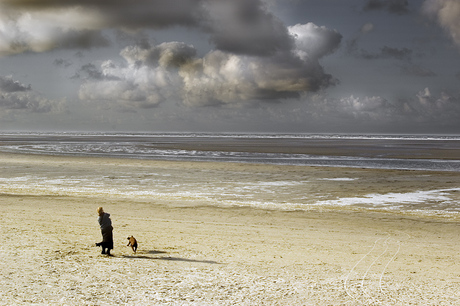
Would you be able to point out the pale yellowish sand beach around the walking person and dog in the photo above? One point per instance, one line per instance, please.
(193, 253)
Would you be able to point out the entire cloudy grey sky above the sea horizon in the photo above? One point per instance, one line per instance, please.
(275, 66)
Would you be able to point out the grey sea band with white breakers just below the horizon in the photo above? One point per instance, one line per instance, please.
(404, 152)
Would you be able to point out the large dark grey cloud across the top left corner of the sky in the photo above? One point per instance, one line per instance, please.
(238, 26)
